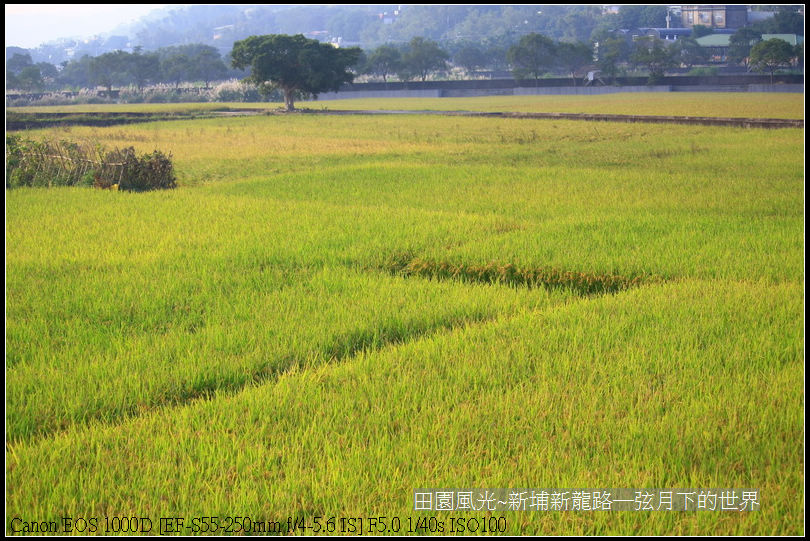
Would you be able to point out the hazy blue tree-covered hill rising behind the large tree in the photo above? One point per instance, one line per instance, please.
(365, 26)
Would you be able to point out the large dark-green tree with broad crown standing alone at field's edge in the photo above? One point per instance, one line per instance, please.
(294, 64)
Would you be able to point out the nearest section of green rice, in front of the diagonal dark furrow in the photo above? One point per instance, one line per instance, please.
(655, 387)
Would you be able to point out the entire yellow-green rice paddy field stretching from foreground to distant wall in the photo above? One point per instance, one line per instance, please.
(332, 312)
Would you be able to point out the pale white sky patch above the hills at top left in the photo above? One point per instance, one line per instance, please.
(30, 25)
